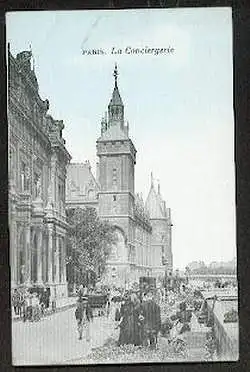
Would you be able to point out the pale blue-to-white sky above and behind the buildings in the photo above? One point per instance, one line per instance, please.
(179, 106)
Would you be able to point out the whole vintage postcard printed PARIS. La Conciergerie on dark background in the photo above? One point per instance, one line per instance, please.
(122, 186)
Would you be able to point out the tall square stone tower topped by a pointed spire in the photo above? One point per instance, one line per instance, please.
(117, 158)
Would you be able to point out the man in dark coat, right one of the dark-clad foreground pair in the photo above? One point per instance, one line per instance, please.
(152, 319)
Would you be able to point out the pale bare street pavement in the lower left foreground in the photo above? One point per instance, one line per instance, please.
(54, 339)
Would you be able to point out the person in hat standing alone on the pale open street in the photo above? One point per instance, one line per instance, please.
(84, 316)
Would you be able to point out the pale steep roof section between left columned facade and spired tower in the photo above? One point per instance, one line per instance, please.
(80, 181)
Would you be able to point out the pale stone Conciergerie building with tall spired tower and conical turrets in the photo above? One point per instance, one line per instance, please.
(143, 231)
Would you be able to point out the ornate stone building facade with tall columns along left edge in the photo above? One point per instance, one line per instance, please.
(38, 161)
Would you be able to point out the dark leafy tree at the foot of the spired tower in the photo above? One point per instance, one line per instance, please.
(90, 240)
